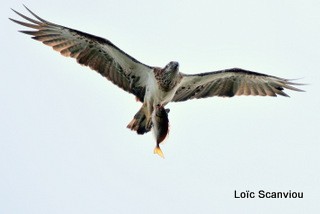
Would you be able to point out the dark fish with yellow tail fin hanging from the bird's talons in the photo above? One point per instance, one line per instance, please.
(160, 127)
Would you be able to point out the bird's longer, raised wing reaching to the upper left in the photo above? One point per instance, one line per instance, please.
(89, 50)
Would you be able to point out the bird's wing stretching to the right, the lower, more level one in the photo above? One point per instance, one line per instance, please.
(231, 82)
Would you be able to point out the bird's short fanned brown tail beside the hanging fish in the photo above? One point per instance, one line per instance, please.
(139, 122)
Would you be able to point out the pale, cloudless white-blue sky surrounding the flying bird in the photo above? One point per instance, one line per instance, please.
(64, 147)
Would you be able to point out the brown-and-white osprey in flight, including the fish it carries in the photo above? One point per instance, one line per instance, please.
(155, 87)
